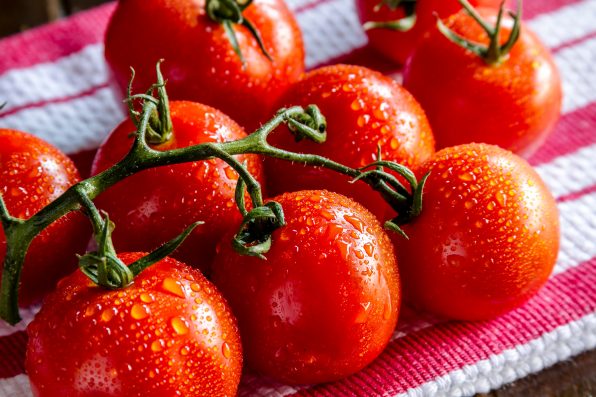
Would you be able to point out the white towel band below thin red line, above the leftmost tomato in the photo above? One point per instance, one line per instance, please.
(79, 124)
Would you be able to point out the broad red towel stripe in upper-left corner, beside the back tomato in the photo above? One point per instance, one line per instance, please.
(54, 41)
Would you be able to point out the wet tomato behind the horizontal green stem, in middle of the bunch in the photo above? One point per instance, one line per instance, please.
(364, 109)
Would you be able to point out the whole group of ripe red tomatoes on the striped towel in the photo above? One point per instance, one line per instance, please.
(325, 302)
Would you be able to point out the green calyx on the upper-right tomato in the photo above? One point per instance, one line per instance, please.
(494, 53)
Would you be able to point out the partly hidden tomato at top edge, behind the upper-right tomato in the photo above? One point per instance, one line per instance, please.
(397, 45)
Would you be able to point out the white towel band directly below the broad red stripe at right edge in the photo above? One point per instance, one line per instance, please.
(571, 172)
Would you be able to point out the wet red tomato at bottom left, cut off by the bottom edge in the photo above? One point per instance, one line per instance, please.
(170, 333)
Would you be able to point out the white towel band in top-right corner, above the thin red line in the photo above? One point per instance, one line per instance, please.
(566, 24)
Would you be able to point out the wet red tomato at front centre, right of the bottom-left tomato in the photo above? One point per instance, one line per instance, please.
(325, 302)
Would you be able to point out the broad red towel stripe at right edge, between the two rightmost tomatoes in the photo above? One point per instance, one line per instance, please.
(573, 131)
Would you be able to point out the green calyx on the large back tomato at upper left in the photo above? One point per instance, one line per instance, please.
(228, 13)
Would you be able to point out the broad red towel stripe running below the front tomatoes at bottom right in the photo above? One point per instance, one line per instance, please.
(422, 356)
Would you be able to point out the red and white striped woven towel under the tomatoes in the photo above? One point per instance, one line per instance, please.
(56, 84)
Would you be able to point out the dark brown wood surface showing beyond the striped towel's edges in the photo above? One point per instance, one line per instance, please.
(572, 378)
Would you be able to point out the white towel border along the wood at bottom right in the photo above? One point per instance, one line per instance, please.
(499, 369)
